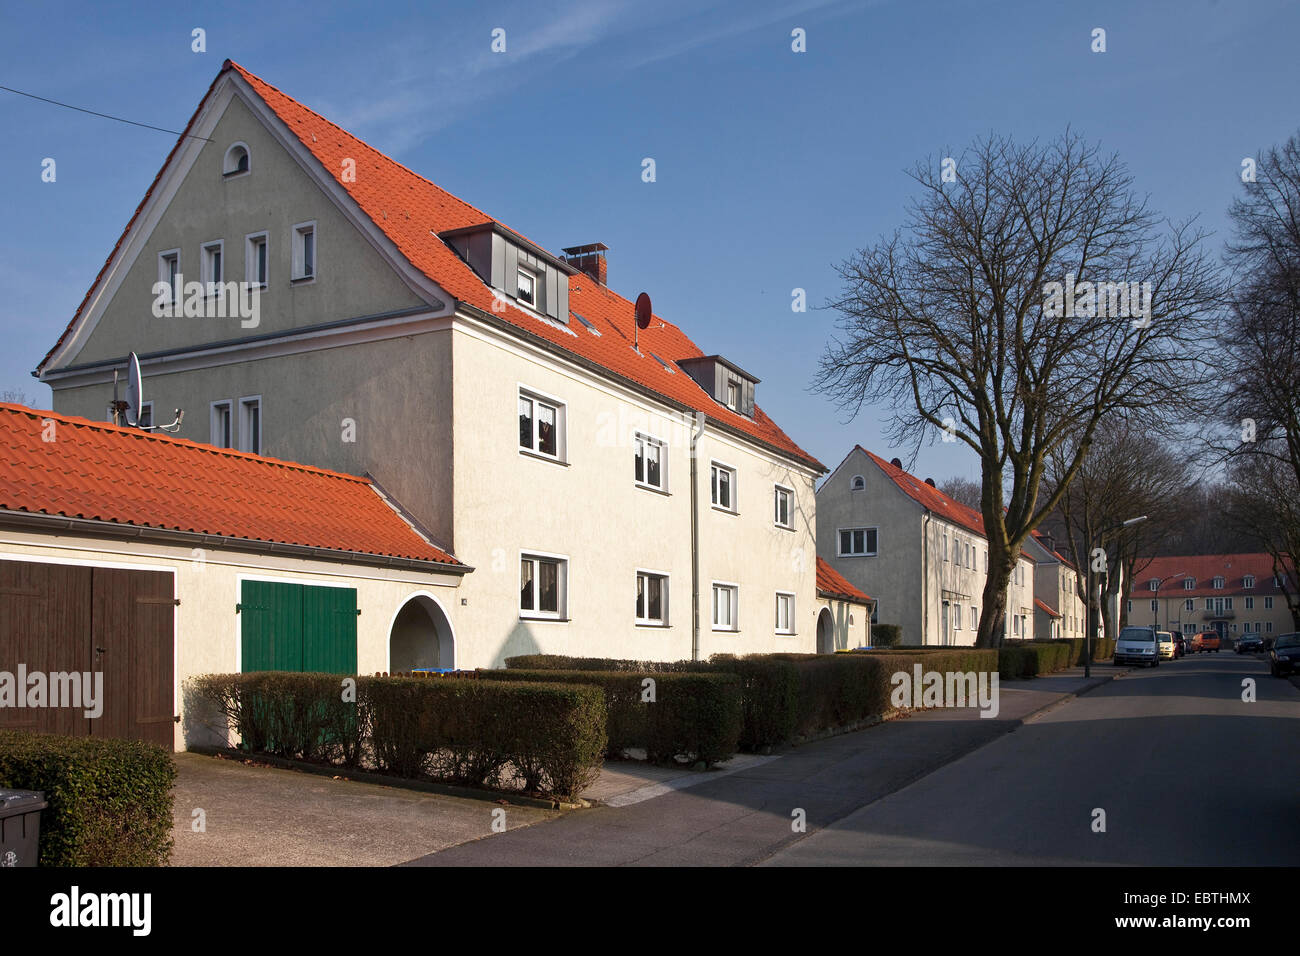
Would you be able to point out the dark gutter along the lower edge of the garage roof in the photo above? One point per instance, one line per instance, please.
(98, 529)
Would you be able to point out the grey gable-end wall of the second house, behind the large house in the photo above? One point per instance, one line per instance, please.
(894, 577)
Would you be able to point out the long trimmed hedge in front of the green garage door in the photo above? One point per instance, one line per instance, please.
(543, 738)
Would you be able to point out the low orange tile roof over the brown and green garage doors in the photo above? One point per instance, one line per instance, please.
(103, 473)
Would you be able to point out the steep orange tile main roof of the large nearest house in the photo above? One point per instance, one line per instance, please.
(413, 211)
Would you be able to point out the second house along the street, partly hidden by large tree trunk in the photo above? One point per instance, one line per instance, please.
(921, 555)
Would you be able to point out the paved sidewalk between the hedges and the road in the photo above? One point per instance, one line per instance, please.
(748, 815)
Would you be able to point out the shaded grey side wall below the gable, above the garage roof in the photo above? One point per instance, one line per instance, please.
(397, 392)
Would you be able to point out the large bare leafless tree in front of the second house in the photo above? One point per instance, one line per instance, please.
(982, 323)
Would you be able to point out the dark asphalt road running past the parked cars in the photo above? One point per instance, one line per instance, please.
(1186, 772)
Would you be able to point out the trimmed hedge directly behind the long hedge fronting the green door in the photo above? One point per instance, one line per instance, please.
(697, 716)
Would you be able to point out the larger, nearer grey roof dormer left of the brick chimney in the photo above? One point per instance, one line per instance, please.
(525, 274)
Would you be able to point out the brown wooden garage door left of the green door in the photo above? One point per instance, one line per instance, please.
(60, 618)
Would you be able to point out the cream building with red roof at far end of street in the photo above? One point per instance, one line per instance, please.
(1229, 594)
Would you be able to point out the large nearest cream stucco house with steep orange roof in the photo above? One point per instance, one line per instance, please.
(618, 490)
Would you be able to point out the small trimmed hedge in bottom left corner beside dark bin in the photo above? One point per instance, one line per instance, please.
(110, 801)
